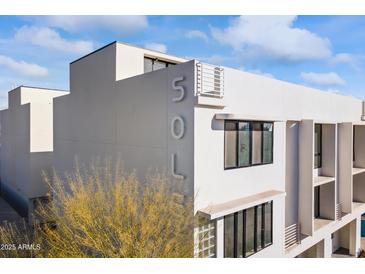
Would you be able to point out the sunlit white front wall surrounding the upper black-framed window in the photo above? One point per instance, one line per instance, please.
(254, 97)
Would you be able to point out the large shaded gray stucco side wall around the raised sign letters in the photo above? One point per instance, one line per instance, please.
(127, 120)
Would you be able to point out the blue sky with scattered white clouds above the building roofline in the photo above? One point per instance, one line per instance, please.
(325, 52)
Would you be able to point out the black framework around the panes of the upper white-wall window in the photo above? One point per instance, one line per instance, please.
(250, 152)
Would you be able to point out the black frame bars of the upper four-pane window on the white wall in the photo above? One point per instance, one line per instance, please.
(250, 147)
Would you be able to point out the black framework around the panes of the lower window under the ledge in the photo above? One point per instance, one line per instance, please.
(264, 243)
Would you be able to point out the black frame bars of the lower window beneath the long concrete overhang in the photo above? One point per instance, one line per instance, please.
(244, 221)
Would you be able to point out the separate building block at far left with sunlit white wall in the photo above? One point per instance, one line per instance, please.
(26, 144)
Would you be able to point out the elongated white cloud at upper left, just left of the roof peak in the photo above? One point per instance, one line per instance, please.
(49, 38)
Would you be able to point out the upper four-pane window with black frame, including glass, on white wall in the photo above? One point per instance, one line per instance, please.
(247, 143)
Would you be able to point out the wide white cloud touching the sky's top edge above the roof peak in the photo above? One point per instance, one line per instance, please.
(117, 24)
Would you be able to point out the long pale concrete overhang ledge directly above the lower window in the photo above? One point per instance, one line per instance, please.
(223, 209)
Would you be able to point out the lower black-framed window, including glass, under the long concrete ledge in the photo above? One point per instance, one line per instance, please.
(248, 231)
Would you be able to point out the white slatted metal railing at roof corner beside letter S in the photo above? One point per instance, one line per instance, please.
(210, 80)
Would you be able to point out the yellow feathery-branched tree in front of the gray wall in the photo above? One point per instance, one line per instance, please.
(103, 213)
